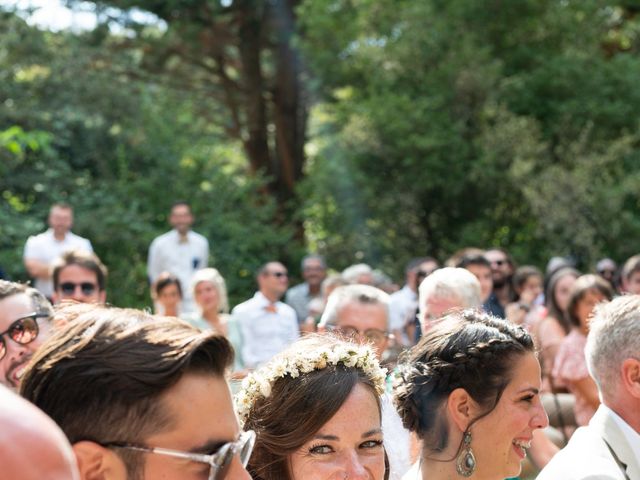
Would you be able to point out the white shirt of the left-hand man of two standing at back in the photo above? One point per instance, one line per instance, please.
(45, 247)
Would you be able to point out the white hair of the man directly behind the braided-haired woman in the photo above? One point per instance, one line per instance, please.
(450, 282)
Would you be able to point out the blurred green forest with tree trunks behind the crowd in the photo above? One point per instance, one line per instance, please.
(365, 130)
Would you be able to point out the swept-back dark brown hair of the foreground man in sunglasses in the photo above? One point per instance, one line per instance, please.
(100, 375)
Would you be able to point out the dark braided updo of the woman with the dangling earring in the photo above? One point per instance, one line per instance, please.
(470, 350)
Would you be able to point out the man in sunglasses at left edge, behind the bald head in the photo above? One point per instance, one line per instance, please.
(24, 325)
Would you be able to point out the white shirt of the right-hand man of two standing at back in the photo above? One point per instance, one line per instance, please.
(168, 253)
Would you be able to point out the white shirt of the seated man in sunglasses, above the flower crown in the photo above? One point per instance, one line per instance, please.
(264, 333)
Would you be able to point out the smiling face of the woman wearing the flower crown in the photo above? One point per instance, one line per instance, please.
(350, 443)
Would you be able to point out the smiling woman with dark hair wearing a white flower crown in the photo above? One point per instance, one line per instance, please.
(315, 409)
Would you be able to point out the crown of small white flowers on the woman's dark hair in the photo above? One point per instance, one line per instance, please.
(258, 384)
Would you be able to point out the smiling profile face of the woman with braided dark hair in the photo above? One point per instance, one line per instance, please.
(499, 440)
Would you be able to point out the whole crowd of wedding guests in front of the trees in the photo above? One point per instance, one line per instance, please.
(459, 372)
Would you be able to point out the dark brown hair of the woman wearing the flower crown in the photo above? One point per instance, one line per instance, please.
(298, 407)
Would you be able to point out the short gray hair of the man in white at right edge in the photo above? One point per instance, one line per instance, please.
(614, 336)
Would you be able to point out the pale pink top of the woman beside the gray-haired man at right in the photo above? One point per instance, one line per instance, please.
(570, 366)
